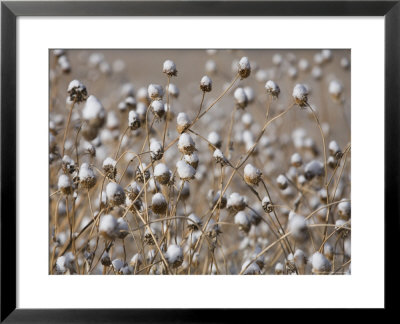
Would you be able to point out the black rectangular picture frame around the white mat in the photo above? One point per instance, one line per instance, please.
(11, 10)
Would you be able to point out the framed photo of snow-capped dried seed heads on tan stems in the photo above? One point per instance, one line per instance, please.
(136, 170)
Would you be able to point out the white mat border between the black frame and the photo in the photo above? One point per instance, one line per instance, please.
(364, 288)
